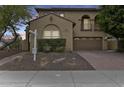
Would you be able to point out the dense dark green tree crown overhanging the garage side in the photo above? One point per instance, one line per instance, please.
(111, 20)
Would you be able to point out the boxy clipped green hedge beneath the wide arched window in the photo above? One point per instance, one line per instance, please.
(51, 45)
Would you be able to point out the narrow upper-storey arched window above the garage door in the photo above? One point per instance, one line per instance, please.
(85, 23)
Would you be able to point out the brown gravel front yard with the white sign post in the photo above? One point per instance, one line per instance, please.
(48, 61)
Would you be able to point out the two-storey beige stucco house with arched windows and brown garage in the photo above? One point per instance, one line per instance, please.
(77, 26)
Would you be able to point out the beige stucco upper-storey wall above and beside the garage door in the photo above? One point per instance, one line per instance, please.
(76, 16)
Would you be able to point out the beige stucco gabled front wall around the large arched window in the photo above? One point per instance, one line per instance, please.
(64, 26)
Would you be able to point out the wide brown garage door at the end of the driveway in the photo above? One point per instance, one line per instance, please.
(88, 43)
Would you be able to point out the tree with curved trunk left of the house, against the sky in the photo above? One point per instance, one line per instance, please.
(11, 17)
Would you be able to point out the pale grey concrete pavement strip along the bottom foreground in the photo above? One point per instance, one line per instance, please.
(61, 78)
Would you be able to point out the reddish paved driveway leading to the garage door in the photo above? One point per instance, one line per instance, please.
(104, 60)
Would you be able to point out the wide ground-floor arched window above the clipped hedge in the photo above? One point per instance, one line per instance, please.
(51, 32)
